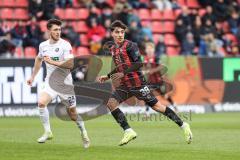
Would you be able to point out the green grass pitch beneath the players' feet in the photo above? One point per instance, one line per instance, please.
(216, 136)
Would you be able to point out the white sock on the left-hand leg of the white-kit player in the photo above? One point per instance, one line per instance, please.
(44, 117)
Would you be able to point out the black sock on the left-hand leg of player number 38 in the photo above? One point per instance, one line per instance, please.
(120, 118)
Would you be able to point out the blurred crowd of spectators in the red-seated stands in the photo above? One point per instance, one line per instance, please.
(201, 35)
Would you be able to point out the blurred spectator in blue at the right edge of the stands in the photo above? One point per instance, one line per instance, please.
(233, 22)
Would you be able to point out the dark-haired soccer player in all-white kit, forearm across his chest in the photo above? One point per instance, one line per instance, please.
(55, 52)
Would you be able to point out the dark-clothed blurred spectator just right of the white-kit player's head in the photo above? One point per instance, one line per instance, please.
(69, 33)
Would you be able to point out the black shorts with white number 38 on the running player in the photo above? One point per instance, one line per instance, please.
(122, 93)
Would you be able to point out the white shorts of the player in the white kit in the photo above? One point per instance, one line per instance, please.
(69, 100)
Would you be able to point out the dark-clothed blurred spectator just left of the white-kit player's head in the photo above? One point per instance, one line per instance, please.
(34, 34)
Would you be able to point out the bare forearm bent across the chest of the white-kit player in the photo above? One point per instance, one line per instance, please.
(67, 64)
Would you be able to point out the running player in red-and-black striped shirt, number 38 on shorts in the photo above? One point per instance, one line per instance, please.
(128, 64)
